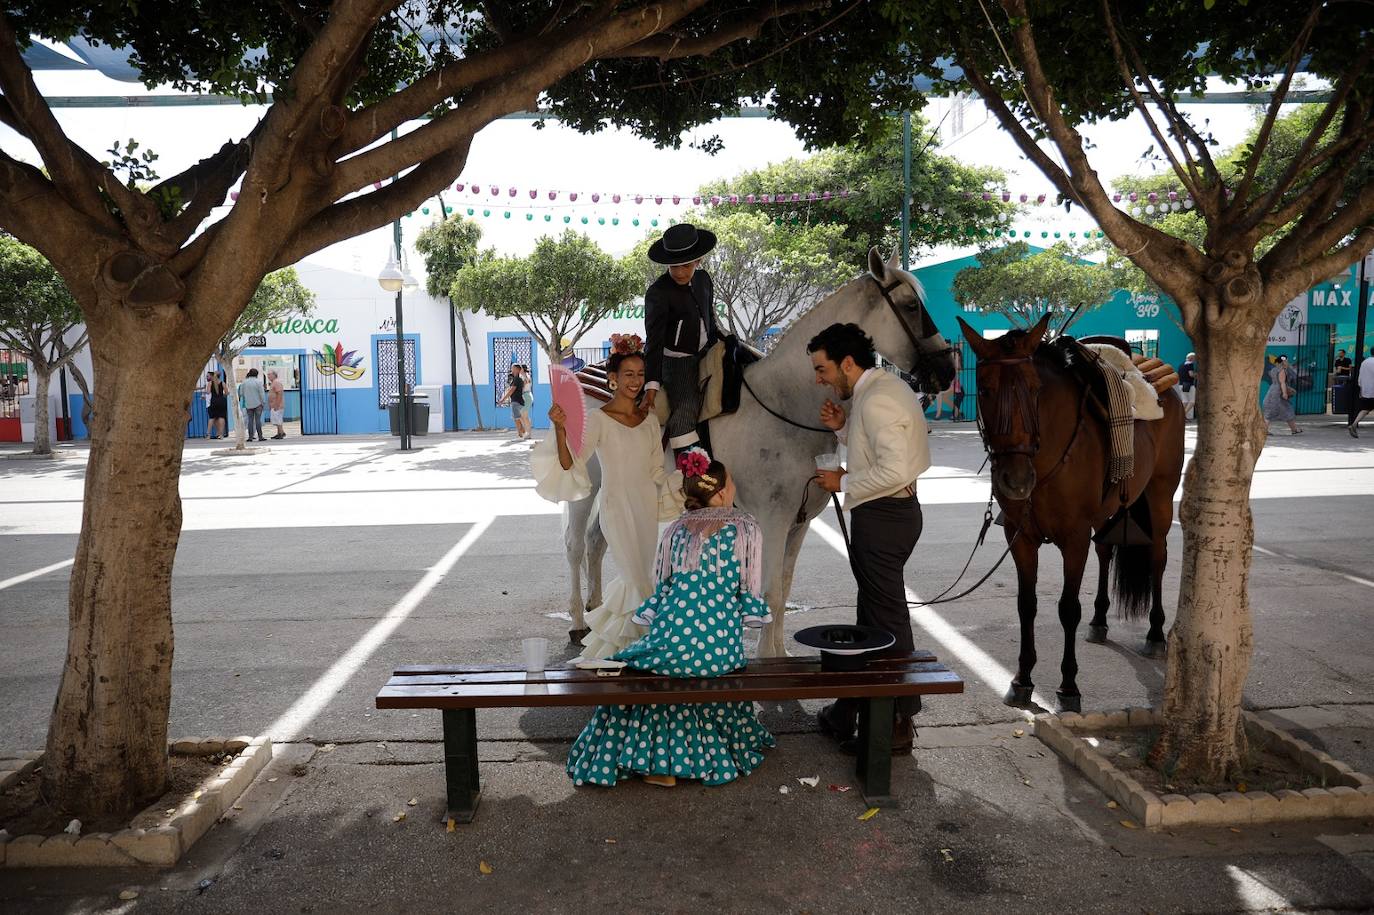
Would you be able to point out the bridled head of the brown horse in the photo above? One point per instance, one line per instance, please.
(1009, 406)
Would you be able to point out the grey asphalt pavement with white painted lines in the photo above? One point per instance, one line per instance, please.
(308, 572)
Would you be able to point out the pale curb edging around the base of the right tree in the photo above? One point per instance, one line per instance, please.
(1349, 793)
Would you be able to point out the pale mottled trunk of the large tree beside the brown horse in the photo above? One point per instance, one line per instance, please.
(1213, 637)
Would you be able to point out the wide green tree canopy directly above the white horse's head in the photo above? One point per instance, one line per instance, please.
(946, 196)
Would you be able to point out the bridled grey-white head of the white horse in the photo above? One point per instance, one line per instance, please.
(903, 329)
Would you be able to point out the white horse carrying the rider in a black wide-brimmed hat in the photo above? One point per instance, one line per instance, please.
(772, 442)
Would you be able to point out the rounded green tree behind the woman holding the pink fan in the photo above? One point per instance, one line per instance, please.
(560, 292)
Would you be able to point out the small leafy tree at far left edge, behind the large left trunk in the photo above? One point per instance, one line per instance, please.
(38, 314)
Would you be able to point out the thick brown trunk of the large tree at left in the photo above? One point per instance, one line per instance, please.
(108, 748)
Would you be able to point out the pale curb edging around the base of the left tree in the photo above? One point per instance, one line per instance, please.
(159, 847)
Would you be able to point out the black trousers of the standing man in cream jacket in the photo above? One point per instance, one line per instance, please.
(883, 535)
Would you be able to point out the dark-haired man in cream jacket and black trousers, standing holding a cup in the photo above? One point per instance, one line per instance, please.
(886, 436)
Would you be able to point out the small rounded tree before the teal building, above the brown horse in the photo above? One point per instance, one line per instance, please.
(1020, 285)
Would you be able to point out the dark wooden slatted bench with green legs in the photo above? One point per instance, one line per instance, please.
(458, 692)
